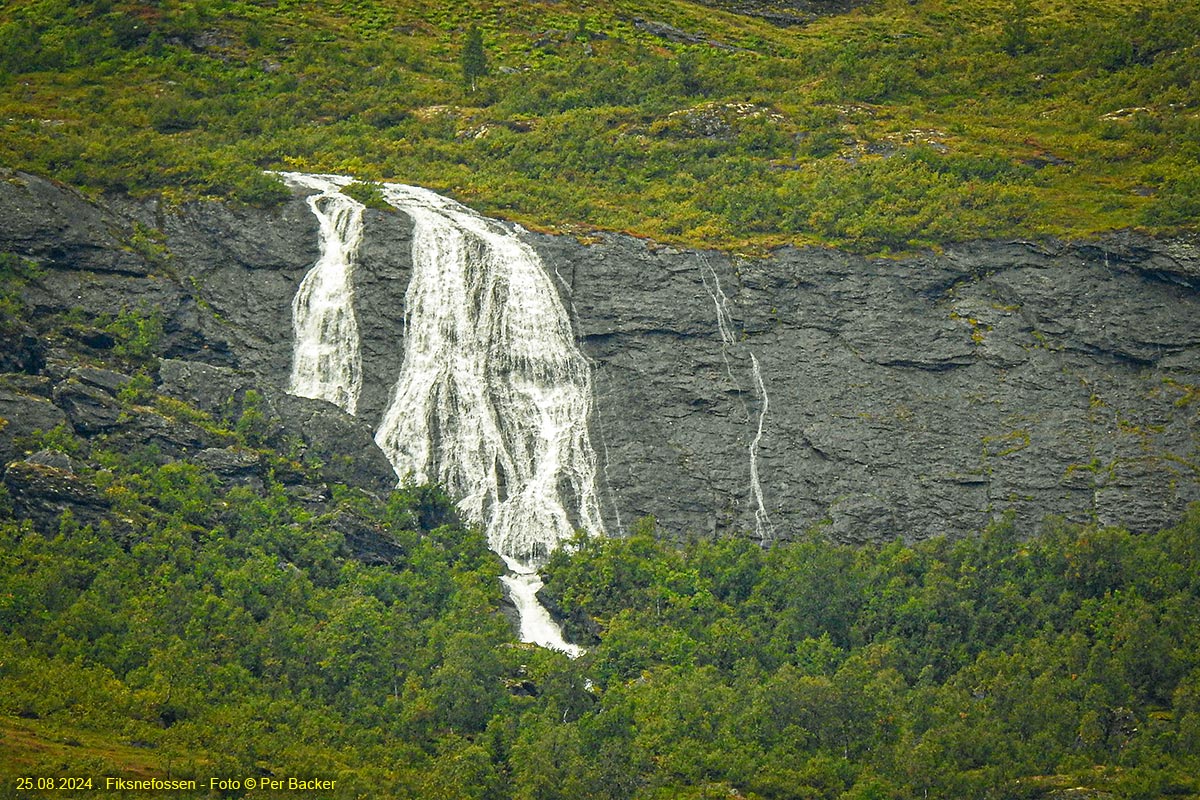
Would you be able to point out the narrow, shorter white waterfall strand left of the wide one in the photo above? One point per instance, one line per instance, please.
(326, 360)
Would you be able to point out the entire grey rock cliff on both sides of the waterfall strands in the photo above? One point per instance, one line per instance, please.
(881, 399)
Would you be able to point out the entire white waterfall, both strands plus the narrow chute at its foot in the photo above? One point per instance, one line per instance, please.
(494, 396)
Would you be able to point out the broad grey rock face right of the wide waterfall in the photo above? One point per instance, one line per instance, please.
(902, 399)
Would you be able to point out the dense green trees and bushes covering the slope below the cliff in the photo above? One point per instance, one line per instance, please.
(206, 630)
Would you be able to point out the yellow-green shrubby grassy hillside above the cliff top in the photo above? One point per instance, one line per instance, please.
(897, 125)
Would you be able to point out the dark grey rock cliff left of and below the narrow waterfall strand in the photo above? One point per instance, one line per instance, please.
(224, 288)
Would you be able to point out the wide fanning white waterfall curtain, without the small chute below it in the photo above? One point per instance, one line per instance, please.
(494, 396)
